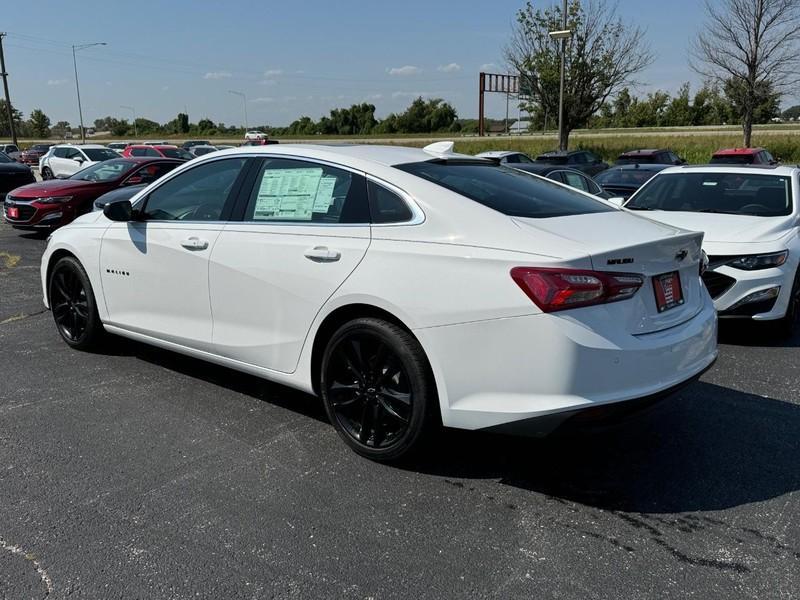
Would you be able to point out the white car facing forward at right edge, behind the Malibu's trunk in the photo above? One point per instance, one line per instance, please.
(751, 221)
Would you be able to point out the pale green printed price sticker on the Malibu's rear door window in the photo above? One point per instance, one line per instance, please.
(288, 194)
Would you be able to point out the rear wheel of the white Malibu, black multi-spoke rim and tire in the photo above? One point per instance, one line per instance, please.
(377, 389)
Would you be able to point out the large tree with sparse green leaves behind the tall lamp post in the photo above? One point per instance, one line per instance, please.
(603, 55)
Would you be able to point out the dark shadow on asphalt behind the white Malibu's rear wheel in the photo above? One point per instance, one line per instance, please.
(710, 448)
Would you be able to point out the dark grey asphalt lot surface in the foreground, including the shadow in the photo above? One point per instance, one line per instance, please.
(137, 473)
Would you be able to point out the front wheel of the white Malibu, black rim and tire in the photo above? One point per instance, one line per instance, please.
(73, 305)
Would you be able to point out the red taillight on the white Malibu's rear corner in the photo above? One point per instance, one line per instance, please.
(560, 289)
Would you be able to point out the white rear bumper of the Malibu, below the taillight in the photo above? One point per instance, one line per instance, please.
(510, 373)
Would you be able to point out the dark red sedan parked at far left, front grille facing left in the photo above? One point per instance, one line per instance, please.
(56, 202)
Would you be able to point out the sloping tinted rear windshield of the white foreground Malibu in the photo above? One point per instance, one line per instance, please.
(507, 190)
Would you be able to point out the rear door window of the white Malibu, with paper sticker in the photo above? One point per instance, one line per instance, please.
(294, 191)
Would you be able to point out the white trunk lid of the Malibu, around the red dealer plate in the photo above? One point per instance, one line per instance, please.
(620, 242)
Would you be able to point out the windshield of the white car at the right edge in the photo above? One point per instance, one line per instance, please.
(730, 193)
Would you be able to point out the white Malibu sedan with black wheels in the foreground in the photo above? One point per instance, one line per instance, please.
(406, 287)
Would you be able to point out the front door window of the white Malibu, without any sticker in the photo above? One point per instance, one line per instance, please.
(198, 194)
